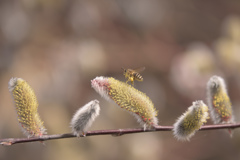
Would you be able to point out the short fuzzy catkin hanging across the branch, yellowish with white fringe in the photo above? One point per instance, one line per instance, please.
(191, 121)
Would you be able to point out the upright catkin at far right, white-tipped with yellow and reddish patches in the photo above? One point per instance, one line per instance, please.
(218, 101)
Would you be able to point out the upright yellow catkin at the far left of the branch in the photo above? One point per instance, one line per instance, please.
(26, 107)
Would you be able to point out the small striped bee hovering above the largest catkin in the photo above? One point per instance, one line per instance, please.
(133, 74)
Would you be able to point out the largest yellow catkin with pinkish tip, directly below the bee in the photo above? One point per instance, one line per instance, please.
(128, 98)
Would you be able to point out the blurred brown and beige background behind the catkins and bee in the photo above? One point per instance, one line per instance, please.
(58, 46)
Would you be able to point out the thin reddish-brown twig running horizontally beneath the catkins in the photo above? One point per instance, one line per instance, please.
(115, 132)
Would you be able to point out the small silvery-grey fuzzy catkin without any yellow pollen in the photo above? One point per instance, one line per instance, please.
(84, 117)
